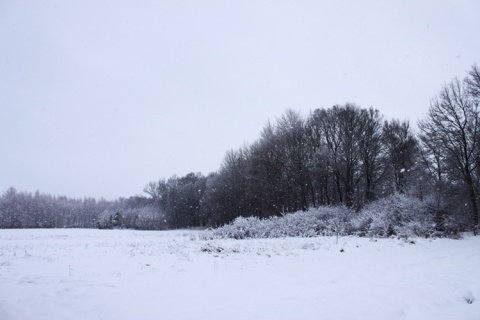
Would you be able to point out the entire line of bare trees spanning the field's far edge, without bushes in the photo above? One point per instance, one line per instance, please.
(341, 156)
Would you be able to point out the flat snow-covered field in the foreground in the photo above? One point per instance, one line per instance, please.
(125, 274)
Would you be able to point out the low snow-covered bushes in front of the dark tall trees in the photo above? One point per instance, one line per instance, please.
(396, 215)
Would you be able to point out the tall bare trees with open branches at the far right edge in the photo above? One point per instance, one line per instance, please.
(450, 148)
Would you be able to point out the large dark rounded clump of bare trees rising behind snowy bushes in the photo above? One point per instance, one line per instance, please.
(344, 155)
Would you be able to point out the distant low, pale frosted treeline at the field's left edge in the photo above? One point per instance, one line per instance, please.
(27, 210)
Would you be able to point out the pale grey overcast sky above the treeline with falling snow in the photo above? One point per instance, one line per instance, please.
(97, 98)
